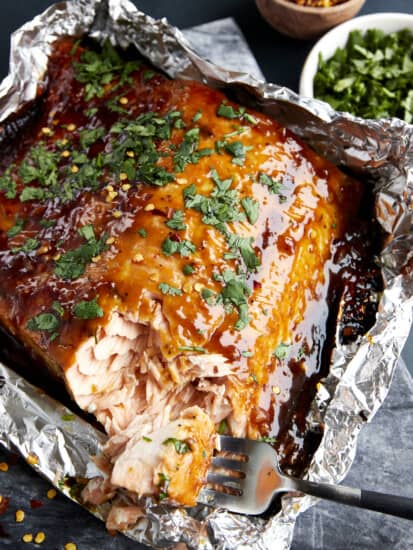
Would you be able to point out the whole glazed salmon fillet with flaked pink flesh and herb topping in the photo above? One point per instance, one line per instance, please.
(164, 250)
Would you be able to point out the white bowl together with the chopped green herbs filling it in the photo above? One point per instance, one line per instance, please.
(364, 66)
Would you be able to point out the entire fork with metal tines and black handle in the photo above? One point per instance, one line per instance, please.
(245, 476)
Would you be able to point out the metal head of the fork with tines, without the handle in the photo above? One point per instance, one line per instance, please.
(244, 477)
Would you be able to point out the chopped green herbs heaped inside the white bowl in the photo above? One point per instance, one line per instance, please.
(371, 76)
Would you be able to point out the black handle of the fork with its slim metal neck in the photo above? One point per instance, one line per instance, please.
(394, 505)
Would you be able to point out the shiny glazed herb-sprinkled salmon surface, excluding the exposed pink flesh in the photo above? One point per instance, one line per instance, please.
(87, 226)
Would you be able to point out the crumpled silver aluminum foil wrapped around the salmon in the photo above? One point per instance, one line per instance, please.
(380, 152)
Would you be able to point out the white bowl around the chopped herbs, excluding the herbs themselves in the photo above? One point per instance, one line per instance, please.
(337, 38)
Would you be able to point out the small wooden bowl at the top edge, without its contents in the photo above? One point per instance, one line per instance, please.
(306, 22)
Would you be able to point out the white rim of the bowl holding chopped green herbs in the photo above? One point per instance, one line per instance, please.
(307, 72)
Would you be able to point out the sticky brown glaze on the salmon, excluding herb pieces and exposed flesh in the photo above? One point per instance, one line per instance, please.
(320, 226)
